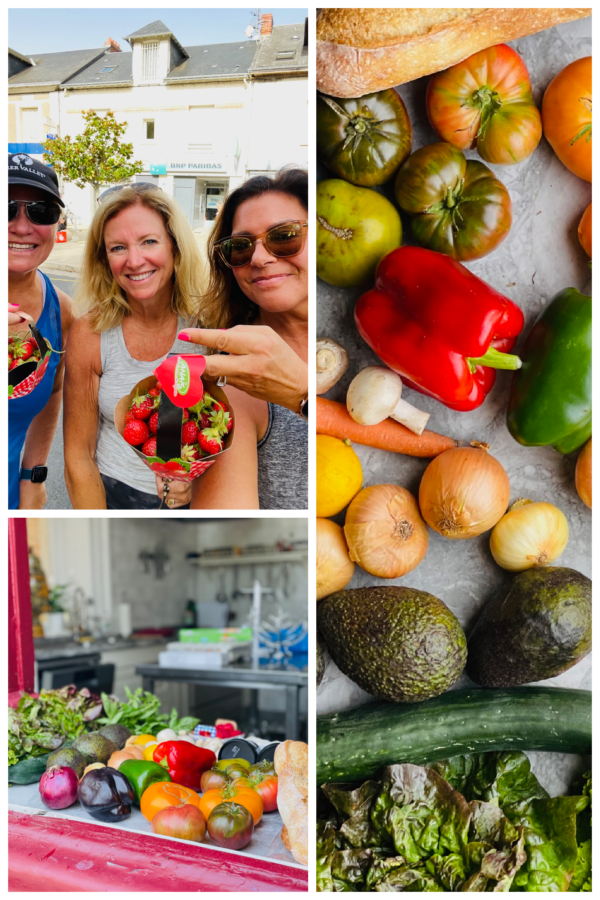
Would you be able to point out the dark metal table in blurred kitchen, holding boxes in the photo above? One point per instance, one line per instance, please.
(240, 675)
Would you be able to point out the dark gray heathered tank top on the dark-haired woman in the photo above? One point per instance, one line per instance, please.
(283, 461)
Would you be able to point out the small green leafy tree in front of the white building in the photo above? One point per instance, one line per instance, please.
(96, 156)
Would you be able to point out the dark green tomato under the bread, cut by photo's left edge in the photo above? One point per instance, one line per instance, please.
(364, 140)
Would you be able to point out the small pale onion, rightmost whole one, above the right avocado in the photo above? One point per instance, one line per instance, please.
(530, 535)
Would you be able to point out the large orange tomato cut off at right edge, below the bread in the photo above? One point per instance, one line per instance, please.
(567, 117)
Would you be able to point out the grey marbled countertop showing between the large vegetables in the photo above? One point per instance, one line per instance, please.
(540, 256)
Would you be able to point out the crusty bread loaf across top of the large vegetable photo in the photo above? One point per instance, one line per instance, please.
(364, 50)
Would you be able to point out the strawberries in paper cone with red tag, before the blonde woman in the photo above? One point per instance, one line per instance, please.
(175, 426)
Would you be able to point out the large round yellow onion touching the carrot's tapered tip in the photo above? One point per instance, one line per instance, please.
(464, 492)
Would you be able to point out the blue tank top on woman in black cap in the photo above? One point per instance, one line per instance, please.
(23, 410)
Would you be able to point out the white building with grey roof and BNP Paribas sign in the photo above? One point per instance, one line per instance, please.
(201, 119)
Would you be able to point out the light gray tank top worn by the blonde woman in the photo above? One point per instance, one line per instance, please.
(120, 374)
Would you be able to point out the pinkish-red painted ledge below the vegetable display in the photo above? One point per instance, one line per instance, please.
(50, 853)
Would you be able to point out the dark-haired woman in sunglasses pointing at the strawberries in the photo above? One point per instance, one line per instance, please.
(256, 311)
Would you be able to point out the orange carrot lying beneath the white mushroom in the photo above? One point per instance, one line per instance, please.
(334, 419)
